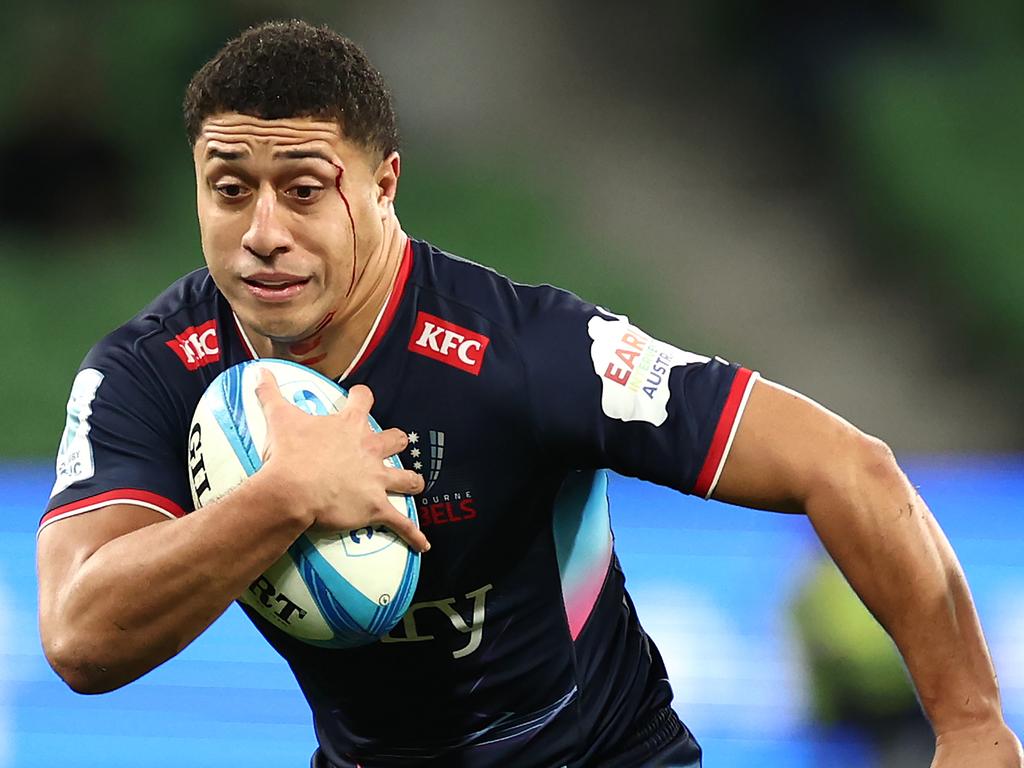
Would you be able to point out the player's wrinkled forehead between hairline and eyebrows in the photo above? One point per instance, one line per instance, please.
(245, 135)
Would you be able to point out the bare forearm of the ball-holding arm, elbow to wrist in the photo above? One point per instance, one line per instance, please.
(143, 598)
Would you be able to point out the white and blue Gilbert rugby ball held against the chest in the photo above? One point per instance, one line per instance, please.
(333, 590)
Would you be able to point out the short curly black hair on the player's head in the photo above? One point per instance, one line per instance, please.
(291, 70)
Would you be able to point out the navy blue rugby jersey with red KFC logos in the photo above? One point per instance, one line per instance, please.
(522, 647)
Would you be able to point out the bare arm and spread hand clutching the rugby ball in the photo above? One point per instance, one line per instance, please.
(122, 590)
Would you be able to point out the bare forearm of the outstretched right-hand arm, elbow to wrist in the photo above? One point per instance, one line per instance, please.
(887, 543)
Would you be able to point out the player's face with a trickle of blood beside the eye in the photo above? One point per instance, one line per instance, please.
(291, 216)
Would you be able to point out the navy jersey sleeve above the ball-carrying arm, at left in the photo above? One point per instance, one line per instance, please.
(118, 445)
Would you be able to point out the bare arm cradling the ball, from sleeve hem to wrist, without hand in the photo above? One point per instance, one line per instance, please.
(122, 589)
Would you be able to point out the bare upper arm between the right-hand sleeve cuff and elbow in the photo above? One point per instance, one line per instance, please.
(785, 448)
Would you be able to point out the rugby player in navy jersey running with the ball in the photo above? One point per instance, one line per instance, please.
(522, 648)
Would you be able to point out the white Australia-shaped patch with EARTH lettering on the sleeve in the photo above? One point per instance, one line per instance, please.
(634, 370)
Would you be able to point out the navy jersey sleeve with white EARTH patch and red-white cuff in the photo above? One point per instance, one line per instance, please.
(605, 394)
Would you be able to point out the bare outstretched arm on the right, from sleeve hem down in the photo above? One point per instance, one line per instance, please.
(791, 455)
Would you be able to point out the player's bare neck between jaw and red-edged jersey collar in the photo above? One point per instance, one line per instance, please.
(333, 349)
